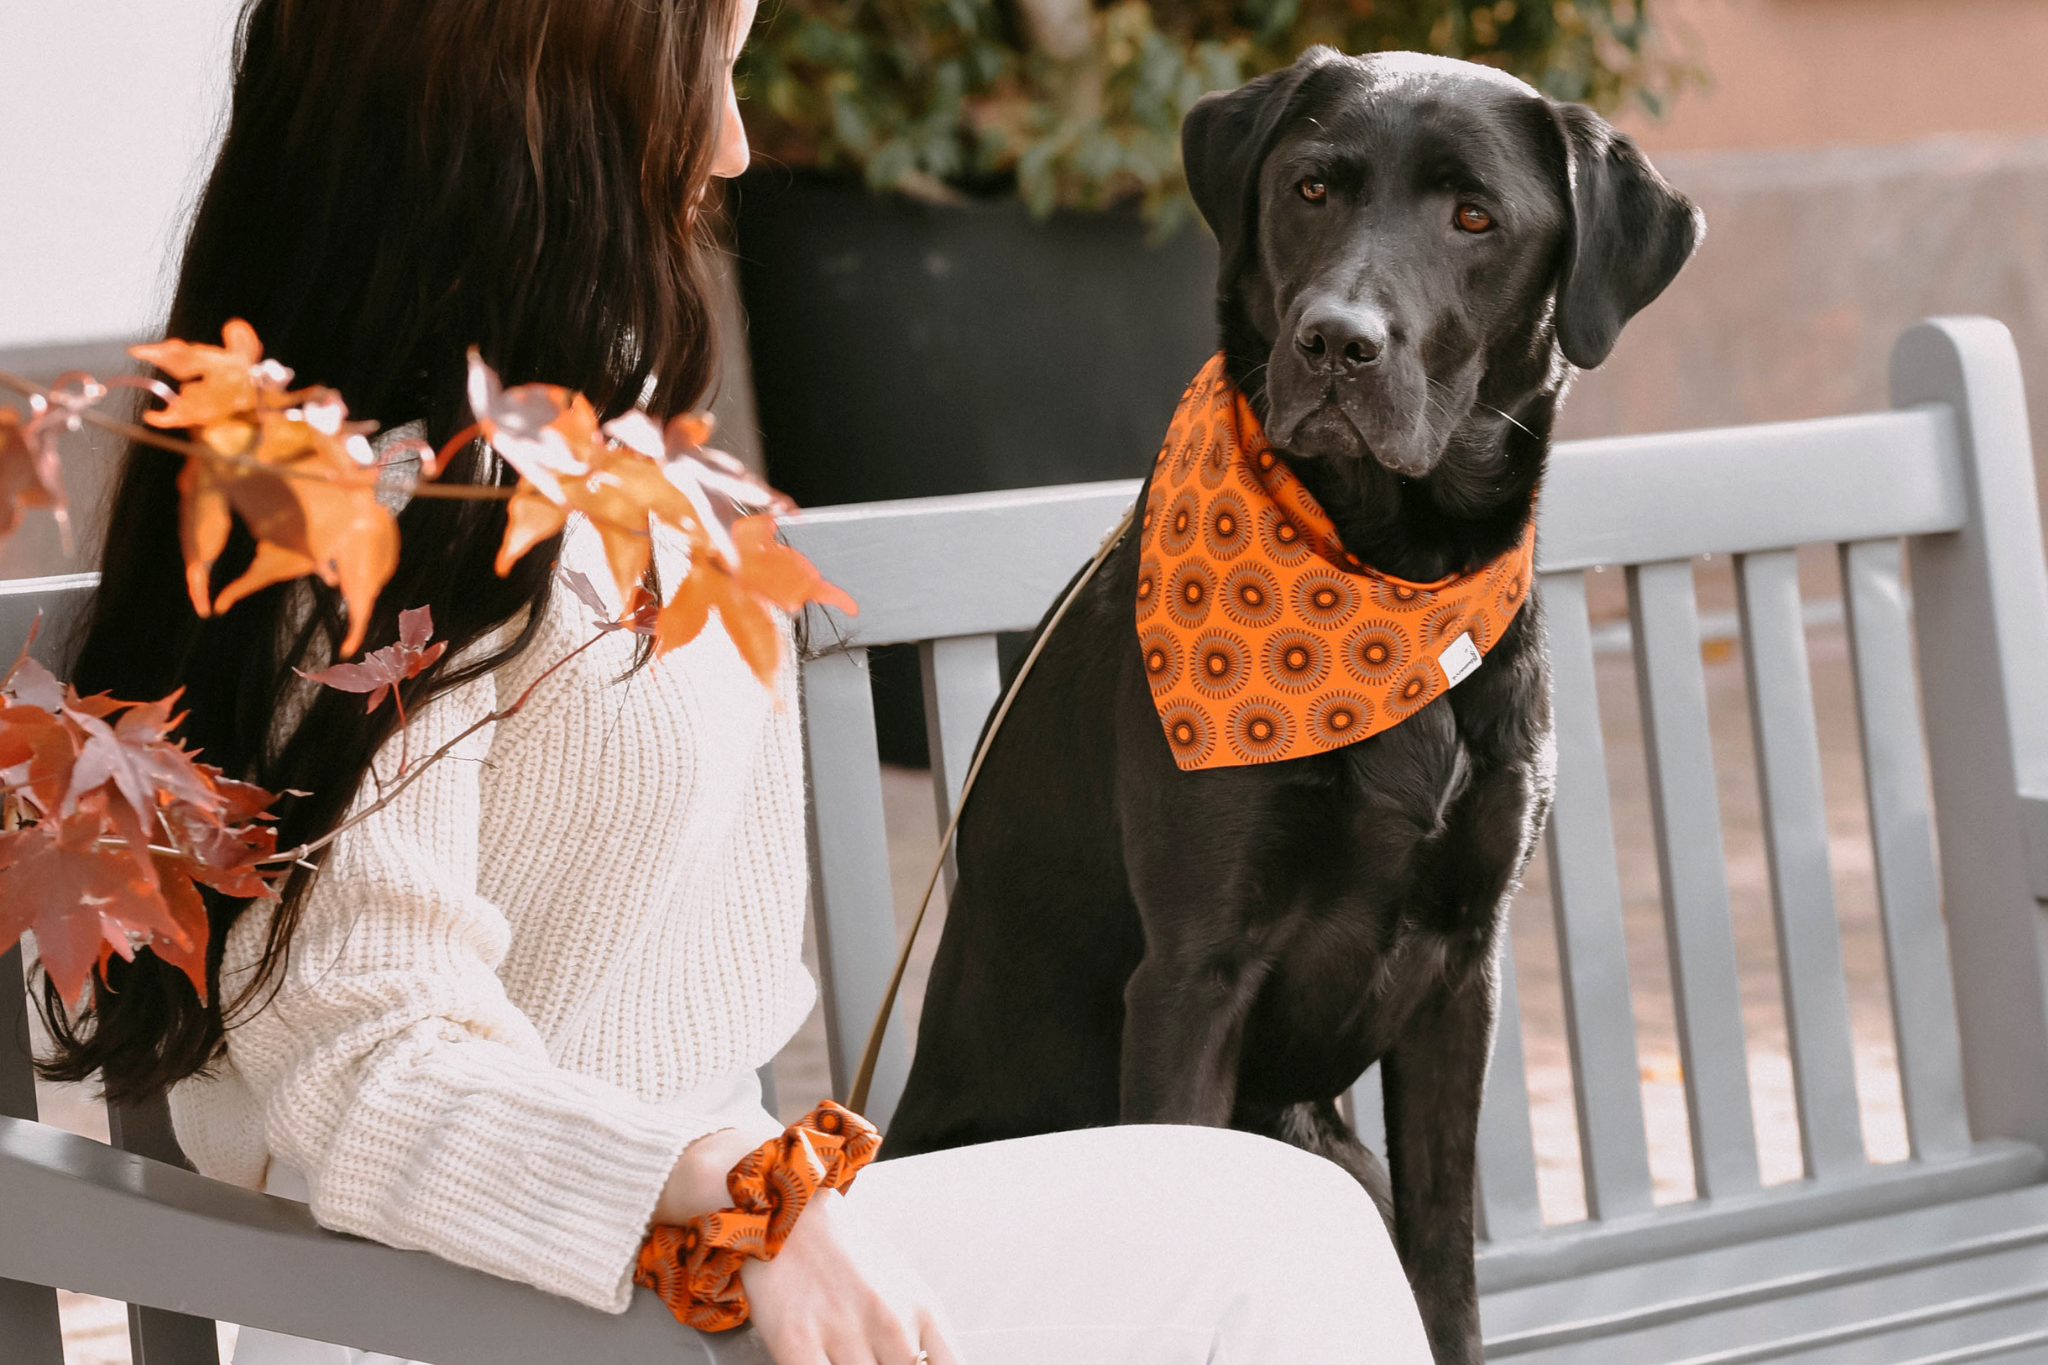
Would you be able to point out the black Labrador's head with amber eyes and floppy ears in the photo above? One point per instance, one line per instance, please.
(1416, 243)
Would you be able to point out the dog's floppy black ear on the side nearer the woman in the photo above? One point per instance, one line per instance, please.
(1224, 142)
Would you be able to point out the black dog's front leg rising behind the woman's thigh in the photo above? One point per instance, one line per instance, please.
(1185, 1026)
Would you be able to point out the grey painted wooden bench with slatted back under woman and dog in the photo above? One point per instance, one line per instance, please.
(1943, 1258)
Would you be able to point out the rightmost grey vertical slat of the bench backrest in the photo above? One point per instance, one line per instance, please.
(1902, 838)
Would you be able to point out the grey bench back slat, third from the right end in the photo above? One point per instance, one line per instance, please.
(1691, 863)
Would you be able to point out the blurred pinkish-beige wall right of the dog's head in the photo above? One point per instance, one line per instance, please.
(1863, 165)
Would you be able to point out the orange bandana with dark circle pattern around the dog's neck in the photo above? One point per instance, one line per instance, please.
(1265, 640)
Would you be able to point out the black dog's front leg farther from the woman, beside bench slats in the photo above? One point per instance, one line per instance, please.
(1435, 1077)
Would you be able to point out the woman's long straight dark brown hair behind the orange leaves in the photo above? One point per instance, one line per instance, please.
(400, 181)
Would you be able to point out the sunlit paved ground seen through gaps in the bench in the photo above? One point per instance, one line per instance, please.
(95, 1327)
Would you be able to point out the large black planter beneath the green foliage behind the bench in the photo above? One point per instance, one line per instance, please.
(906, 349)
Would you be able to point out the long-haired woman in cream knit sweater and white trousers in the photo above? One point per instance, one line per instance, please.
(515, 1018)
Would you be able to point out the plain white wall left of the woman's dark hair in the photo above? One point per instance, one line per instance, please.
(110, 114)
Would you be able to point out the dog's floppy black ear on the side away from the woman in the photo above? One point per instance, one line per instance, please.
(1629, 236)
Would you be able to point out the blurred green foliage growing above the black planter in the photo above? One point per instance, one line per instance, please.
(937, 97)
